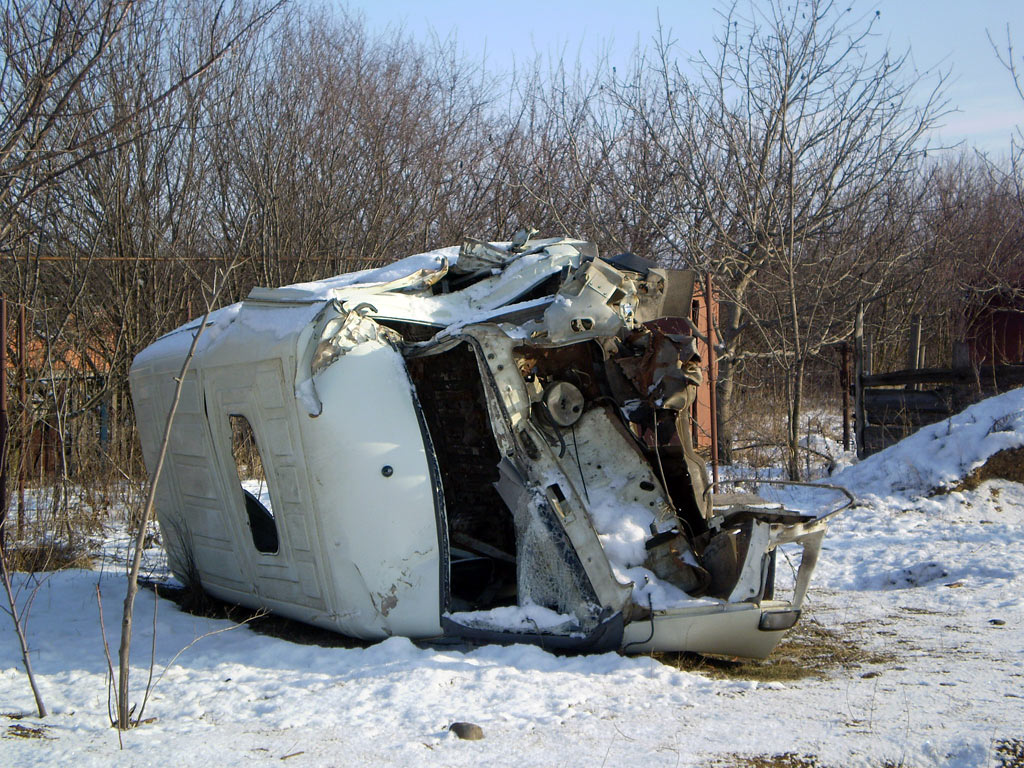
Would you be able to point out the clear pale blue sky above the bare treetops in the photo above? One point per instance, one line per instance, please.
(945, 34)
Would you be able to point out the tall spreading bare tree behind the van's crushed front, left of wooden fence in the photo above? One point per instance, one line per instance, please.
(792, 133)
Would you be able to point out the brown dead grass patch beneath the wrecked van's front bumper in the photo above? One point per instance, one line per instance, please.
(809, 650)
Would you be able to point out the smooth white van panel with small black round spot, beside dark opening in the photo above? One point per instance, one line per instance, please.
(372, 487)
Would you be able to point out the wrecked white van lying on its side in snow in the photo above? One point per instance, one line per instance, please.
(486, 444)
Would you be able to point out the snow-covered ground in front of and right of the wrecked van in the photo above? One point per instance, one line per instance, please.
(926, 581)
